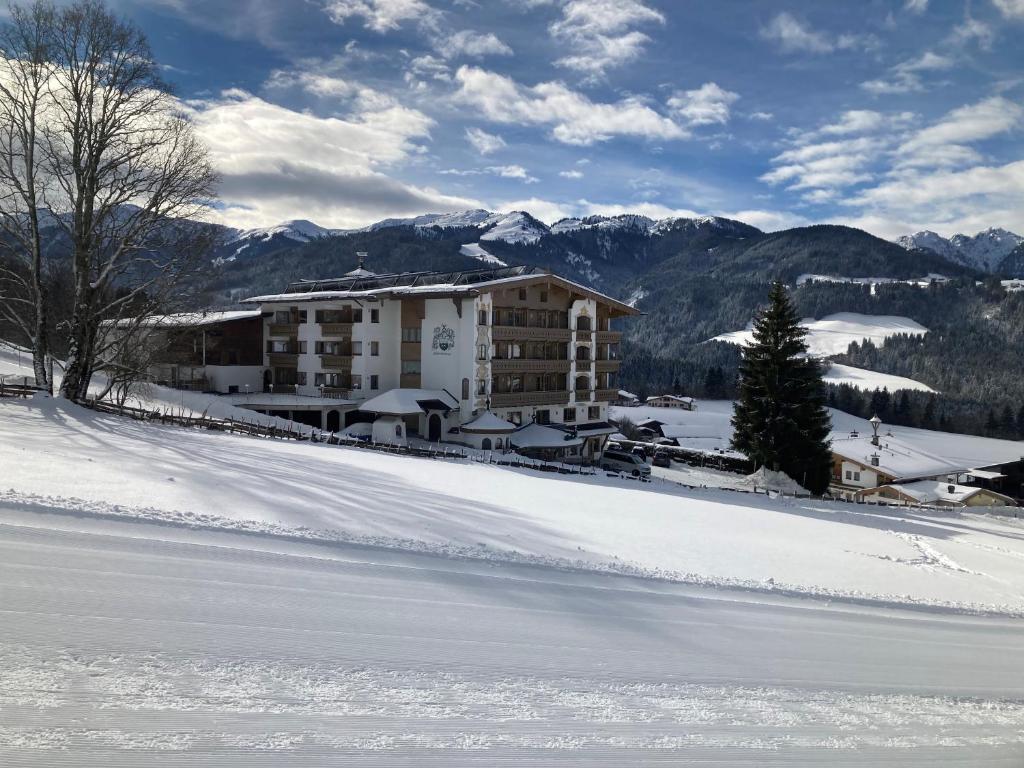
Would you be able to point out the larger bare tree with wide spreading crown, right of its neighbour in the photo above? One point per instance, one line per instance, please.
(124, 168)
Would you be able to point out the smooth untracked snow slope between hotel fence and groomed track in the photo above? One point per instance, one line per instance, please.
(50, 450)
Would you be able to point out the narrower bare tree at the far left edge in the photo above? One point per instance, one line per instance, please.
(26, 68)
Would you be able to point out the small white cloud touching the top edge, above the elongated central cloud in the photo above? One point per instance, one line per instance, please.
(603, 34)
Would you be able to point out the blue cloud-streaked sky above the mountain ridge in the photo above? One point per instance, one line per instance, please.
(889, 115)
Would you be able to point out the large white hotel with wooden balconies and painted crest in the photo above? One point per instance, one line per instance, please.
(451, 356)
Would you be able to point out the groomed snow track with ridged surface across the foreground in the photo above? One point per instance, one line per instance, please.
(121, 650)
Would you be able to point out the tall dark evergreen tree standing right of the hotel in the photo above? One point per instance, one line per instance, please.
(781, 421)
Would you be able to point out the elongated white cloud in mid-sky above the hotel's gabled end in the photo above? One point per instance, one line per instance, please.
(575, 118)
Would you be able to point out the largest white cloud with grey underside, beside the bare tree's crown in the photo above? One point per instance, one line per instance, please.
(279, 164)
